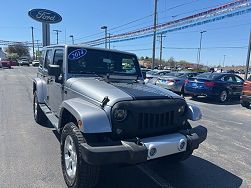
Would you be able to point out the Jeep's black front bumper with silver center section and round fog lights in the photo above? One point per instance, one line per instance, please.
(132, 152)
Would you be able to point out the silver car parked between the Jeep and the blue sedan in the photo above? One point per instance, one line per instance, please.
(174, 81)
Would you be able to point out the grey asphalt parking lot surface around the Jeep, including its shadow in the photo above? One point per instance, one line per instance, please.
(30, 156)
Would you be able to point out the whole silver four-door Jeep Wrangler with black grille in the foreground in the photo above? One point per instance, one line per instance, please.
(98, 102)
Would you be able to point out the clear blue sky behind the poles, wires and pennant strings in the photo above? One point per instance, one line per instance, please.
(83, 18)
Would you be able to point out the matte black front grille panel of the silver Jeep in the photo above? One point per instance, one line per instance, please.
(147, 118)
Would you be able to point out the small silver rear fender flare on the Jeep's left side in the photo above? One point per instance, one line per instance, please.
(39, 85)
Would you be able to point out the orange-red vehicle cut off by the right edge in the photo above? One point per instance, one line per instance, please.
(246, 93)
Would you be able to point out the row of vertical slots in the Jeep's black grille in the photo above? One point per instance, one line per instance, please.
(151, 121)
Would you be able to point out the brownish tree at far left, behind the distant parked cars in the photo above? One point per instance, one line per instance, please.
(19, 49)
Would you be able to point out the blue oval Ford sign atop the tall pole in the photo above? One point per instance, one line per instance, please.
(45, 16)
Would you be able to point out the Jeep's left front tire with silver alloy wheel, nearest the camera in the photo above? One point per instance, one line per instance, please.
(77, 173)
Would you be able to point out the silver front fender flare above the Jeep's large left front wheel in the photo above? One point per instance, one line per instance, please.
(94, 118)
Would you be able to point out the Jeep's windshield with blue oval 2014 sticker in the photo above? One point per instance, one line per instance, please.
(84, 61)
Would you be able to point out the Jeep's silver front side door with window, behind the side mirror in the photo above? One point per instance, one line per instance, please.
(55, 85)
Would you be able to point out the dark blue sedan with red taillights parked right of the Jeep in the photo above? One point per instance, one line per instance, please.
(220, 86)
